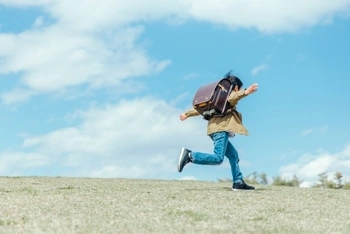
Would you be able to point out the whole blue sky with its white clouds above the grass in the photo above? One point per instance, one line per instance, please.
(96, 91)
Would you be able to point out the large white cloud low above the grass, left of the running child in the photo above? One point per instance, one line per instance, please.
(140, 137)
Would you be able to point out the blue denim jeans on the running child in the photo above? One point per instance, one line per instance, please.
(222, 147)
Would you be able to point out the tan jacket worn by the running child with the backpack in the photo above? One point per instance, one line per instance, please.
(231, 122)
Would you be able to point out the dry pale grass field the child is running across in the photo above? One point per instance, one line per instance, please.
(83, 205)
